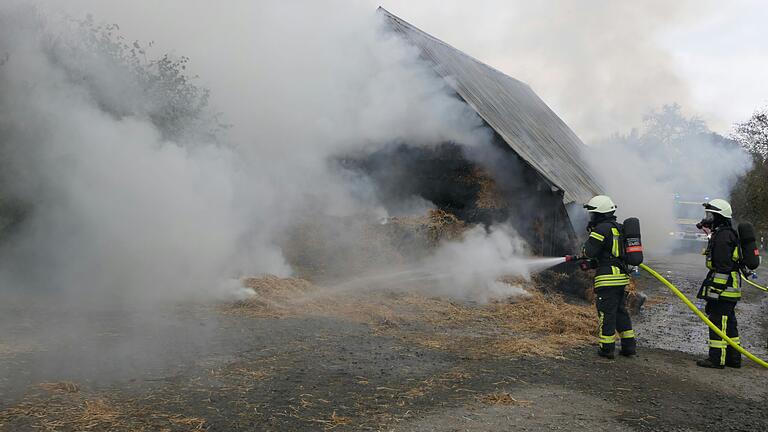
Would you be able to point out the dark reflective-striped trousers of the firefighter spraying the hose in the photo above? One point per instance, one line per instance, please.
(612, 316)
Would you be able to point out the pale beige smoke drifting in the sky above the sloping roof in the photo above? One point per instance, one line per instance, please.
(600, 65)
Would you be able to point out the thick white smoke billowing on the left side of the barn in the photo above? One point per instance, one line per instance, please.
(121, 209)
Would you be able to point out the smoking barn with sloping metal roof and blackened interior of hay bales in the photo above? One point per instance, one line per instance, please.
(533, 171)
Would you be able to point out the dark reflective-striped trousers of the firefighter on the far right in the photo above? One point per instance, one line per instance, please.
(722, 314)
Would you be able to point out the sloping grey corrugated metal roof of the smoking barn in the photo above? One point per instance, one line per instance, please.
(513, 110)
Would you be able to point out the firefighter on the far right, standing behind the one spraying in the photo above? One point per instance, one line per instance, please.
(721, 288)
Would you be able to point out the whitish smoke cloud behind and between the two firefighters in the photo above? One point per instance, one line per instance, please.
(671, 157)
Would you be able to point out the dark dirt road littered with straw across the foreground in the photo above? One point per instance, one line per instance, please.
(193, 367)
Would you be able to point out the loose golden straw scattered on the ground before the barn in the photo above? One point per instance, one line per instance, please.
(540, 324)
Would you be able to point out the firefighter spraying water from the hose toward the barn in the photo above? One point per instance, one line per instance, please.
(605, 251)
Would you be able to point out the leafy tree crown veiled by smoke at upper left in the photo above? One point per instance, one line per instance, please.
(95, 55)
